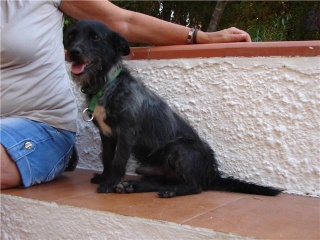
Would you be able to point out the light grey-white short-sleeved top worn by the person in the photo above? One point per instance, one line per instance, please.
(34, 81)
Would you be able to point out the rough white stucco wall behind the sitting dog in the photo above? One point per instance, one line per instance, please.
(260, 115)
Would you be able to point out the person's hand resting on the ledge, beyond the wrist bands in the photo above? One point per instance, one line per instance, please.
(224, 36)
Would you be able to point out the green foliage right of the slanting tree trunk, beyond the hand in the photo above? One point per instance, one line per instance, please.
(275, 20)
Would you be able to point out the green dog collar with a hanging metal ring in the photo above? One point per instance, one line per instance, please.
(112, 75)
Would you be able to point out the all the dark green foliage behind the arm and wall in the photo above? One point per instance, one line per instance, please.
(264, 20)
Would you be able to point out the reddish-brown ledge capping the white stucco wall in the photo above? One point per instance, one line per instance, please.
(241, 49)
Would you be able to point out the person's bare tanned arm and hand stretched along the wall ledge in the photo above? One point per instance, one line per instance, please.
(141, 28)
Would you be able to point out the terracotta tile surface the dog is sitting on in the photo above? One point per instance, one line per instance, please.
(282, 217)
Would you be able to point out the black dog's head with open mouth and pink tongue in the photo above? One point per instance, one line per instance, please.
(93, 49)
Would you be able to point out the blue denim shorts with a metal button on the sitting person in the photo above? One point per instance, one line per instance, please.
(40, 151)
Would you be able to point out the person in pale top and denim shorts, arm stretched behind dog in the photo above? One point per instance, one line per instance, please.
(38, 109)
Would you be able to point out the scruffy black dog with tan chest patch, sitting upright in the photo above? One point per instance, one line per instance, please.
(133, 120)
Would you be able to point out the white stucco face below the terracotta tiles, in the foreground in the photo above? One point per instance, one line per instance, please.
(23, 218)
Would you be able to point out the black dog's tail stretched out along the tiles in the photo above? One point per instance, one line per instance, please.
(234, 185)
